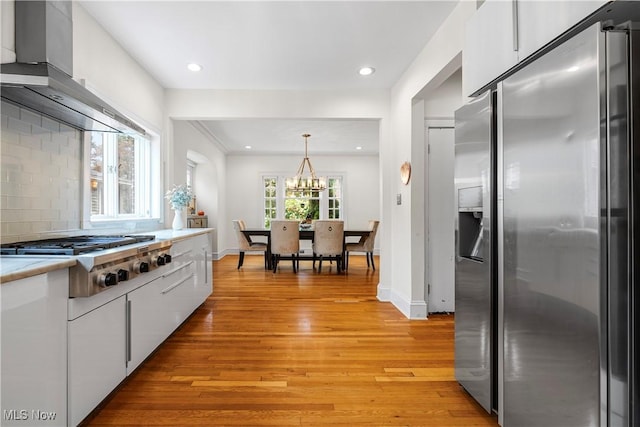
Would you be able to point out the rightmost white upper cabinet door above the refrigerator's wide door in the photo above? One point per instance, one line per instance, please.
(539, 22)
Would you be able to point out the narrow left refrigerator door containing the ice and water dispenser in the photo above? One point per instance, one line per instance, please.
(475, 261)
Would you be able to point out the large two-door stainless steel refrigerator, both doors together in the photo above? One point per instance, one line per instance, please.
(562, 349)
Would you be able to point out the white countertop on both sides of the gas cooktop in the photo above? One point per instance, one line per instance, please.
(15, 267)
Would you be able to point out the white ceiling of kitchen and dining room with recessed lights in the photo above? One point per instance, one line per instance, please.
(275, 45)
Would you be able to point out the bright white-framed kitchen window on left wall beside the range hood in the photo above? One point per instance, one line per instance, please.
(120, 176)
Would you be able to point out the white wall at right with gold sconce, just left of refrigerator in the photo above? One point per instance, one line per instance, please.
(403, 275)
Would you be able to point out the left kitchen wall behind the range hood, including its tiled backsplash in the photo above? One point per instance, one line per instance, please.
(51, 152)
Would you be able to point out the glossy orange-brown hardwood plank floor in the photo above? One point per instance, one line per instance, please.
(302, 349)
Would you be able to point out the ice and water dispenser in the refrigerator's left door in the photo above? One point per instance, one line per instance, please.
(470, 223)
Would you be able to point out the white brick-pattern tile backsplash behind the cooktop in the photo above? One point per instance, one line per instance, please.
(41, 170)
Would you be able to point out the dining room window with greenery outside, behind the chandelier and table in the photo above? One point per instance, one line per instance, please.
(303, 205)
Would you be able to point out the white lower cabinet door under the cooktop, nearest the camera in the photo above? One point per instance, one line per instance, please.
(97, 352)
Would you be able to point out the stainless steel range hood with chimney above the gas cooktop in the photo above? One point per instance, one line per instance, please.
(41, 80)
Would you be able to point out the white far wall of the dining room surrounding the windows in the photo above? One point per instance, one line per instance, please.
(245, 190)
